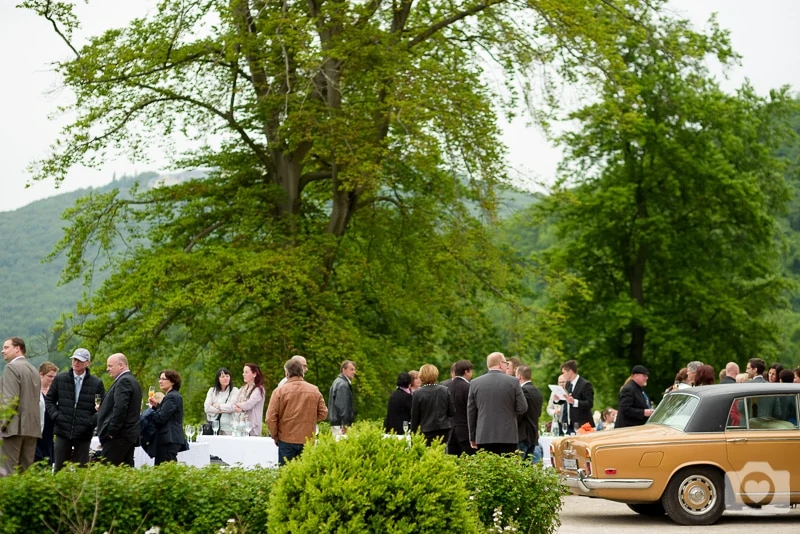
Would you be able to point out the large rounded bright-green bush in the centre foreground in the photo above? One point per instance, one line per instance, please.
(368, 483)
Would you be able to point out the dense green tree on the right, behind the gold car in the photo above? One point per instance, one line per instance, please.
(666, 213)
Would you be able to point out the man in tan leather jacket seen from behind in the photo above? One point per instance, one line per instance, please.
(293, 412)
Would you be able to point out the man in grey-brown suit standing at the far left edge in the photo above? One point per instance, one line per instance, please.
(20, 391)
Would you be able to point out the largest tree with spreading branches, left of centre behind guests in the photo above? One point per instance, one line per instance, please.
(353, 155)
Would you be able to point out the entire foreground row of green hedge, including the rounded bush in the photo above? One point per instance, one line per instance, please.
(364, 483)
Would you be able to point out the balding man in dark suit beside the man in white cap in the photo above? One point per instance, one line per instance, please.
(118, 418)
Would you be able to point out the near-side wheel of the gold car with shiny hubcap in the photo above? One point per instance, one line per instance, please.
(695, 496)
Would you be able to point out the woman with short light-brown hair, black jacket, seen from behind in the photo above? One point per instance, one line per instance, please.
(432, 406)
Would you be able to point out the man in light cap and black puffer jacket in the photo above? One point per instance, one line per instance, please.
(70, 403)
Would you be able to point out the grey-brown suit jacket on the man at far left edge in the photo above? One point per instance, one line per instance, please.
(21, 381)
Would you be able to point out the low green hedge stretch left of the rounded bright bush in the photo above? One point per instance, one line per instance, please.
(102, 498)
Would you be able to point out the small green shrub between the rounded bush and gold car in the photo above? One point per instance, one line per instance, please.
(508, 491)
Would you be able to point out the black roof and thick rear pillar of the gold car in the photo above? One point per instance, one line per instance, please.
(711, 414)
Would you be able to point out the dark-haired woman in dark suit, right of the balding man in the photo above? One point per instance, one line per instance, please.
(168, 418)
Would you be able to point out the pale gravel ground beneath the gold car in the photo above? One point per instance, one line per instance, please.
(582, 515)
